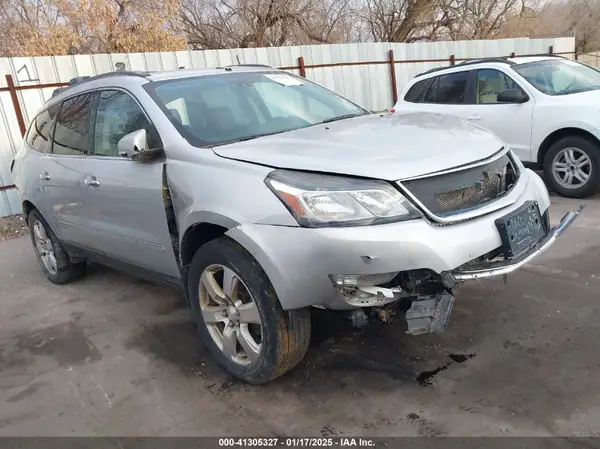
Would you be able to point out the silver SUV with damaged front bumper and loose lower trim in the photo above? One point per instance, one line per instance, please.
(262, 194)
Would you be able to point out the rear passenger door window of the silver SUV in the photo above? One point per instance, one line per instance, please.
(71, 135)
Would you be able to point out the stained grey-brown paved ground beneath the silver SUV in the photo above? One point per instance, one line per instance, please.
(113, 355)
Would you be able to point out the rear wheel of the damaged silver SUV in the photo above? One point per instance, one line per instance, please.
(55, 261)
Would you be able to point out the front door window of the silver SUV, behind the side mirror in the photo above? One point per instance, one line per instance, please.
(118, 114)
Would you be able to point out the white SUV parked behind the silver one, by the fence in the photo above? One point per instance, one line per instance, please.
(546, 108)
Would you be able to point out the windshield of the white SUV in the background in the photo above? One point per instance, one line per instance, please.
(559, 76)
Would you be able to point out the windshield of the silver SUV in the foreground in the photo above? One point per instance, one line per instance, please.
(217, 109)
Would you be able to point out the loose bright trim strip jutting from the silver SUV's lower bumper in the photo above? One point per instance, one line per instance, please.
(508, 266)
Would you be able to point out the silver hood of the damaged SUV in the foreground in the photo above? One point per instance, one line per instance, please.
(388, 147)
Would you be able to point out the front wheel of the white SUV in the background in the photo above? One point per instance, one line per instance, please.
(572, 167)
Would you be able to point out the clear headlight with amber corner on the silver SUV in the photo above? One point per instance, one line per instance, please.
(323, 200)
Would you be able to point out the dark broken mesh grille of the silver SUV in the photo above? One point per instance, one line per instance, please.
(463, 190)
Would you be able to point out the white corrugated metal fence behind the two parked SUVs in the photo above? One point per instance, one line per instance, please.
(368, 73)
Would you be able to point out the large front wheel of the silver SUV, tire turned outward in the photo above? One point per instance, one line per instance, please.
(239, 317)
